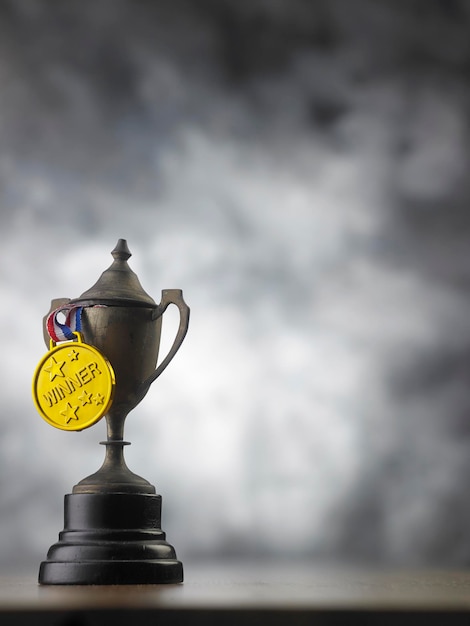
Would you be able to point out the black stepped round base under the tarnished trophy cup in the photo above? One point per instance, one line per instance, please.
(111, 539)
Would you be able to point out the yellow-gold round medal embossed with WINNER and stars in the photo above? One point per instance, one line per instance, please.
(73, 385)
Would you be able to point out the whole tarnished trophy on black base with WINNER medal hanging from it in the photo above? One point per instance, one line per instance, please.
(102, 359)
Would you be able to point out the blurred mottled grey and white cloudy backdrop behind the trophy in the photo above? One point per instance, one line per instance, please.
(299, 169)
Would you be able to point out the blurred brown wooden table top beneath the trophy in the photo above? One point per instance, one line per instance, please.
(222, 594)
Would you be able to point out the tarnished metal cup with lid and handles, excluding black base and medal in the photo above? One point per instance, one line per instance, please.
(124, 323)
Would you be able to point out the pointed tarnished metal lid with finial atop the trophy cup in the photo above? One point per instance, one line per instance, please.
(118, 285)
